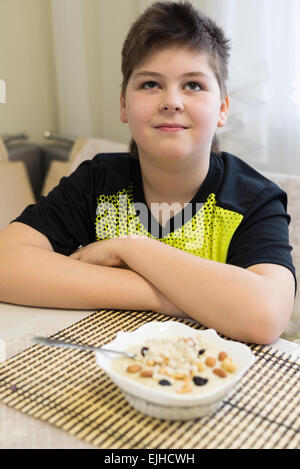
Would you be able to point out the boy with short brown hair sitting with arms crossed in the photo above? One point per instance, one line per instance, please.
(208, 235)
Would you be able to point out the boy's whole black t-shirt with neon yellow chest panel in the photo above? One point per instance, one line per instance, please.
(237, 216)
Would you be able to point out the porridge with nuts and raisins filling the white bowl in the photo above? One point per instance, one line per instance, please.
(177, 364)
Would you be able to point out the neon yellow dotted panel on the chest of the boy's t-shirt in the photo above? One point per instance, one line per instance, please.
(207, 234)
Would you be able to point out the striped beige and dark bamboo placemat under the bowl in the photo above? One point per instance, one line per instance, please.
(66, 388)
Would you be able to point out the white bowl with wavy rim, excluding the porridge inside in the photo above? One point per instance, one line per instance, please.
(166, 405)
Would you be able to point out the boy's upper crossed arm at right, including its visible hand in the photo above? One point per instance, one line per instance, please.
(252, 305)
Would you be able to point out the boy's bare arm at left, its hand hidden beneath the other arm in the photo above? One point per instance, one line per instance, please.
(31, 273)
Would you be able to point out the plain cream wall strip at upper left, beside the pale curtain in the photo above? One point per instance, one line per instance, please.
(27, 66)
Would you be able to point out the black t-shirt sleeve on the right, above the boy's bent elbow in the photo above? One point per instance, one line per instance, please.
(263, 235)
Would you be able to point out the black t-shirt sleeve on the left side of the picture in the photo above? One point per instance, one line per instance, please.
(67, 215)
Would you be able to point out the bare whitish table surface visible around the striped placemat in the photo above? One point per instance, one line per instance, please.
(18, 326)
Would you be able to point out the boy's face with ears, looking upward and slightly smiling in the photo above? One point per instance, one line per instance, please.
(171, 92)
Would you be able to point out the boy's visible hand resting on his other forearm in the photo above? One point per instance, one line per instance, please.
(105, 253)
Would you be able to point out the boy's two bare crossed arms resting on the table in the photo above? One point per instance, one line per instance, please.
(252, 305)
